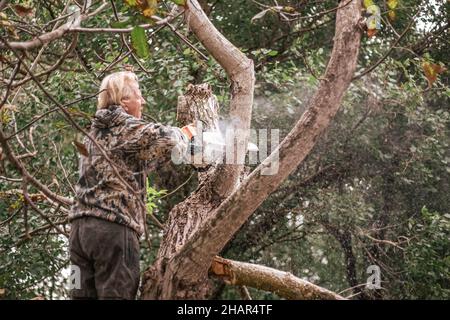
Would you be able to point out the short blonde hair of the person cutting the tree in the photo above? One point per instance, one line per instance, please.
(114, 87)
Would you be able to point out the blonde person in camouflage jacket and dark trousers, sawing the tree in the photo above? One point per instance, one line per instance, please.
(109, 214)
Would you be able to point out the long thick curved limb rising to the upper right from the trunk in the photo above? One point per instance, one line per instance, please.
(236, 209)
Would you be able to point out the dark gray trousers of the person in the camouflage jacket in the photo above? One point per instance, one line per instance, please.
(106, 254)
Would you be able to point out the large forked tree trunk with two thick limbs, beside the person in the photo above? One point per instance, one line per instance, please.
(211, 216)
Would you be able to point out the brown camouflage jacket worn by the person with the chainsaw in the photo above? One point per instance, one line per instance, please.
(135, 147)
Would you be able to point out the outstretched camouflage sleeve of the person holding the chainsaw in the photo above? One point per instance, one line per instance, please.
(154, 141)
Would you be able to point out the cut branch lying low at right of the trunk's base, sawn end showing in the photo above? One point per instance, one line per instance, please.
(285, 284)
